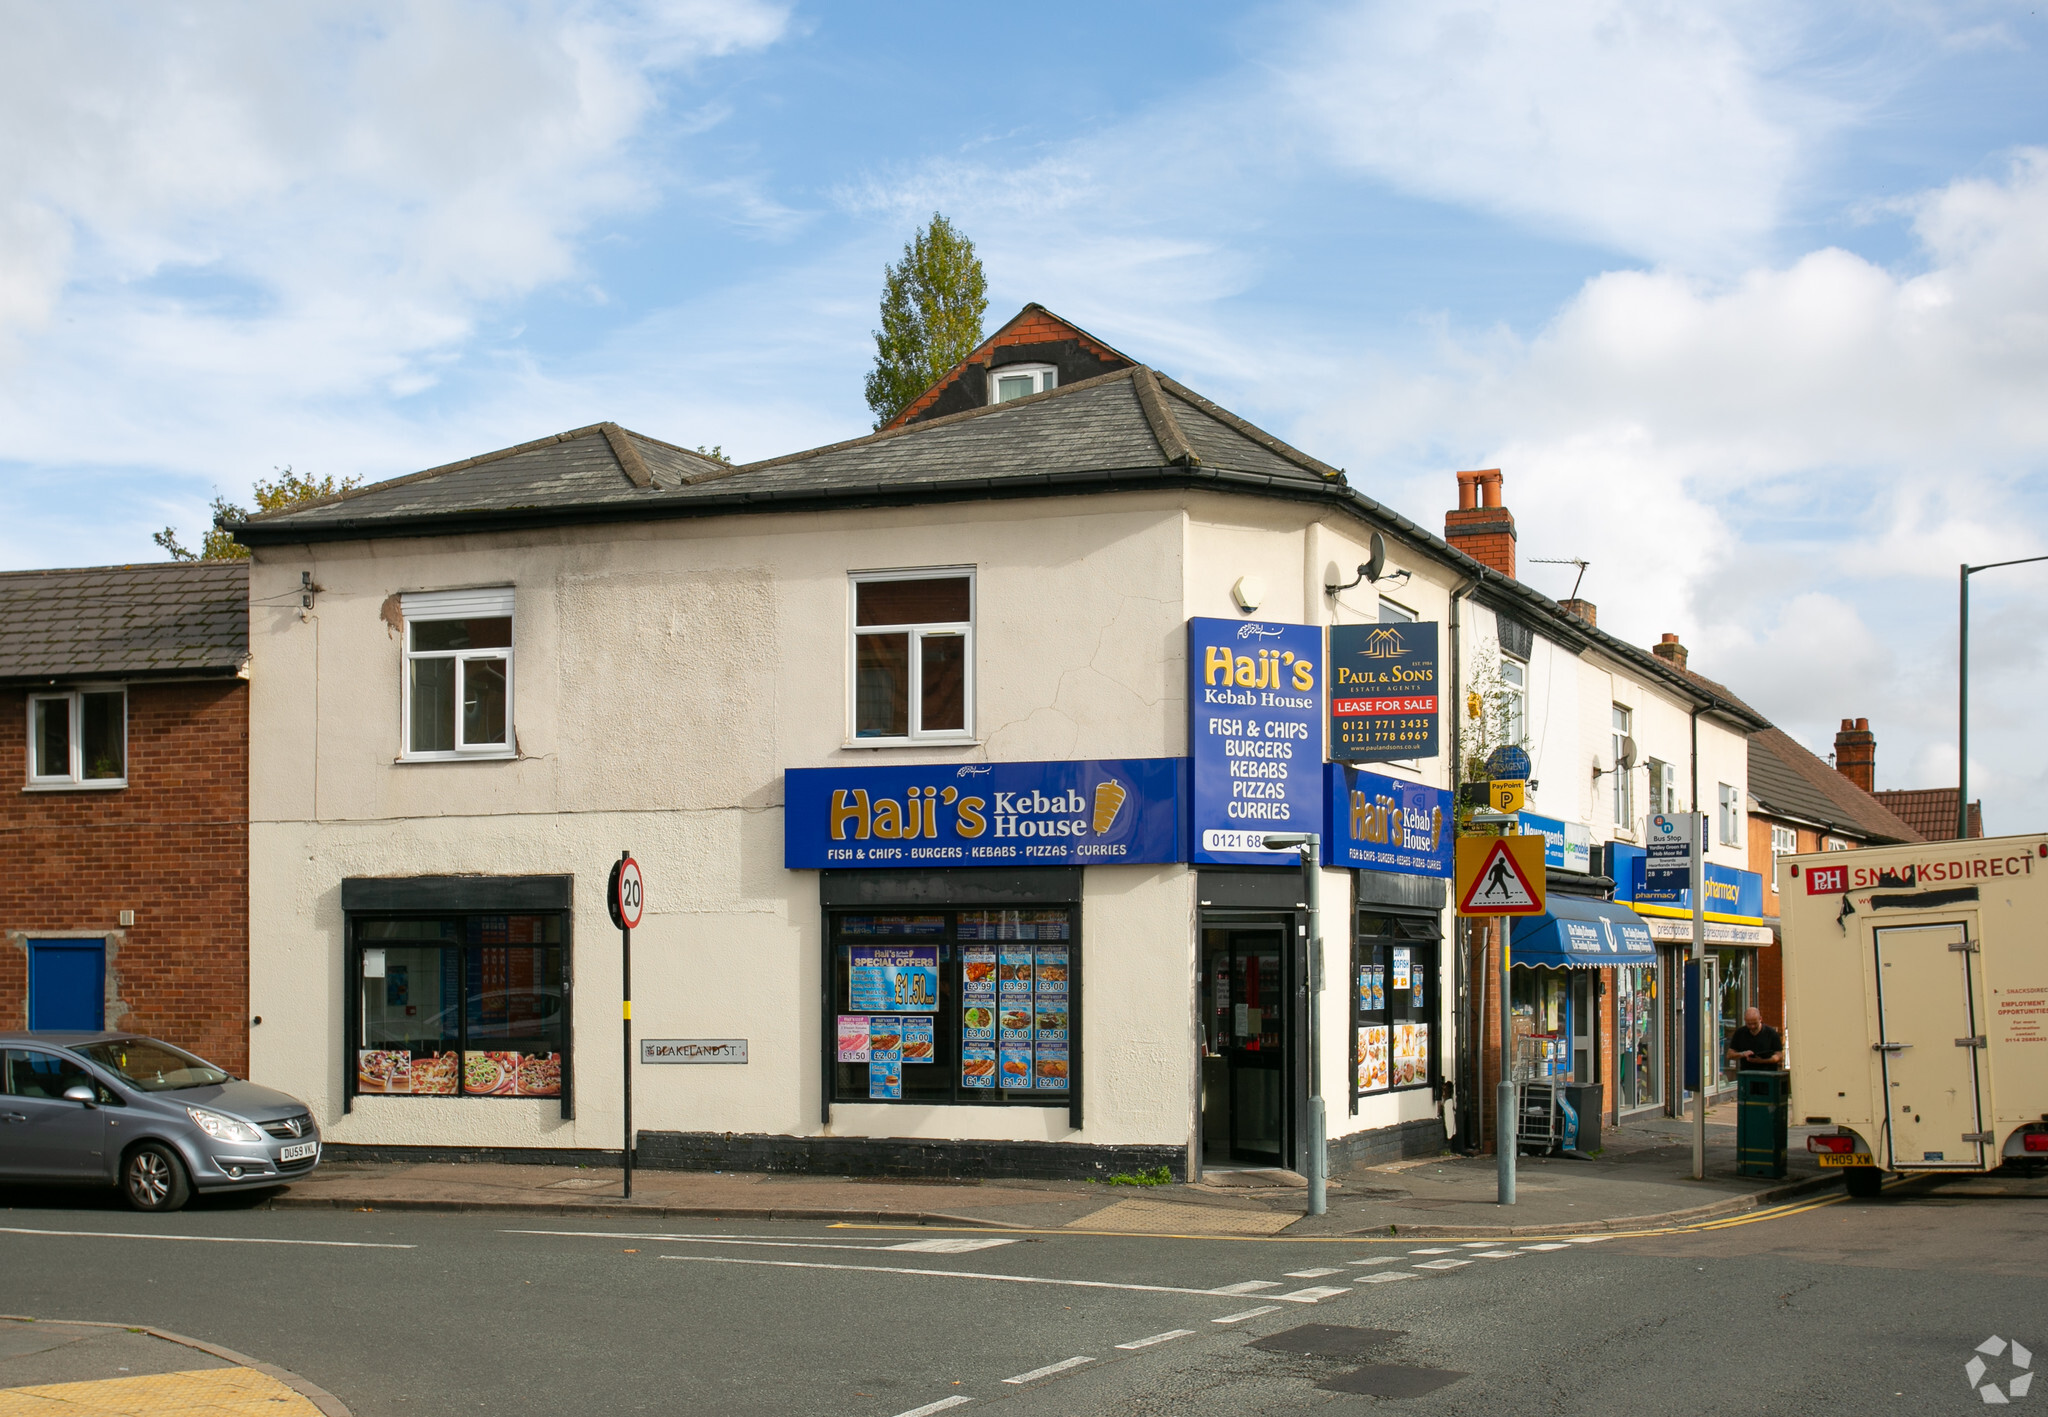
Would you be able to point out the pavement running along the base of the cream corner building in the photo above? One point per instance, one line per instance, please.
(1641, 1176)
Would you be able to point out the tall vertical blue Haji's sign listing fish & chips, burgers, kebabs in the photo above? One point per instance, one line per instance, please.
(1254, 734)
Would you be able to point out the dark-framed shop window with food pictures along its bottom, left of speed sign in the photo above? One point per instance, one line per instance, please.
(460, 1006)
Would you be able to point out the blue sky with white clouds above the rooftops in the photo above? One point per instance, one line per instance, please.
(1748, 300)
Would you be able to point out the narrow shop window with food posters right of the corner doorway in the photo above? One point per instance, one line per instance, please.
(1394, 1004)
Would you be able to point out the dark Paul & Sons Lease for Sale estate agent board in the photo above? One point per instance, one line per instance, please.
(1383, 691)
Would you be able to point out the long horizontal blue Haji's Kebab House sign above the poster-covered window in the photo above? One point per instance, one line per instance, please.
(986, 814)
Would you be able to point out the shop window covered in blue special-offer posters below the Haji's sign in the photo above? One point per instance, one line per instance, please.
(968, 1006)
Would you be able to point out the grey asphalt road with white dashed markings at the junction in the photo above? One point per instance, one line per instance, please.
(1836, 1309)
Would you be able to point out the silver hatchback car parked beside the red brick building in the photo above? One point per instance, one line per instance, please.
(146, 1117)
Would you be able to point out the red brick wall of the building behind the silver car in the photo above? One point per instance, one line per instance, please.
(171, 847)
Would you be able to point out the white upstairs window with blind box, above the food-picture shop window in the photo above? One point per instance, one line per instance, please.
(458, 687)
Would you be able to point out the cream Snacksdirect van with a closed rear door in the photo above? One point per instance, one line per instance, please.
(1918, 1004)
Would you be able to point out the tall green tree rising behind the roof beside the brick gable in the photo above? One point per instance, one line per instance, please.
(933, 308)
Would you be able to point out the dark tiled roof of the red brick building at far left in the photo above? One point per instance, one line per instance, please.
(169, 619)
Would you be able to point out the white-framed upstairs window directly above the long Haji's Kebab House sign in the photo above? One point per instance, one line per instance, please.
(914, 656)
